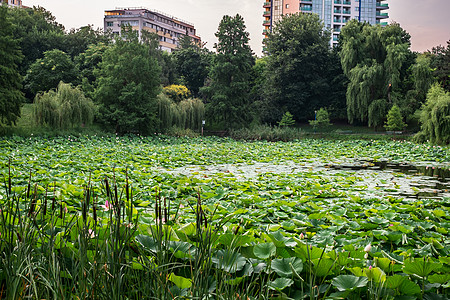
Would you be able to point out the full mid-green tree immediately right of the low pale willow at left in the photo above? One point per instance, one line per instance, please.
(128, 83)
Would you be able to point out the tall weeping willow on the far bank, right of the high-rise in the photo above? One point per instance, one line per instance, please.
(372, 58)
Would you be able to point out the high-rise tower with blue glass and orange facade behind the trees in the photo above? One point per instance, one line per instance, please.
(334, 13)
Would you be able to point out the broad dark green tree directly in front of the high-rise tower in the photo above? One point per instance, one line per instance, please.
(298, 67)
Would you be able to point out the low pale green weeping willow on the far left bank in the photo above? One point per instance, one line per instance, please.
(63, 108)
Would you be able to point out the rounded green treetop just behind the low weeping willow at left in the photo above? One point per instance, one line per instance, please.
(47, 72)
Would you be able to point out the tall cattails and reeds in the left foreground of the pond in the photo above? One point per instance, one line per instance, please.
(50, 250)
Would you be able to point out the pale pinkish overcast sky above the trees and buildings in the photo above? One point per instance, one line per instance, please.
(427, 21)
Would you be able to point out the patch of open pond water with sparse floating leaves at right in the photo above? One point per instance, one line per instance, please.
(374, 178)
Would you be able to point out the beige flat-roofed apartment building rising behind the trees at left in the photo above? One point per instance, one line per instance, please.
(168, 28)
